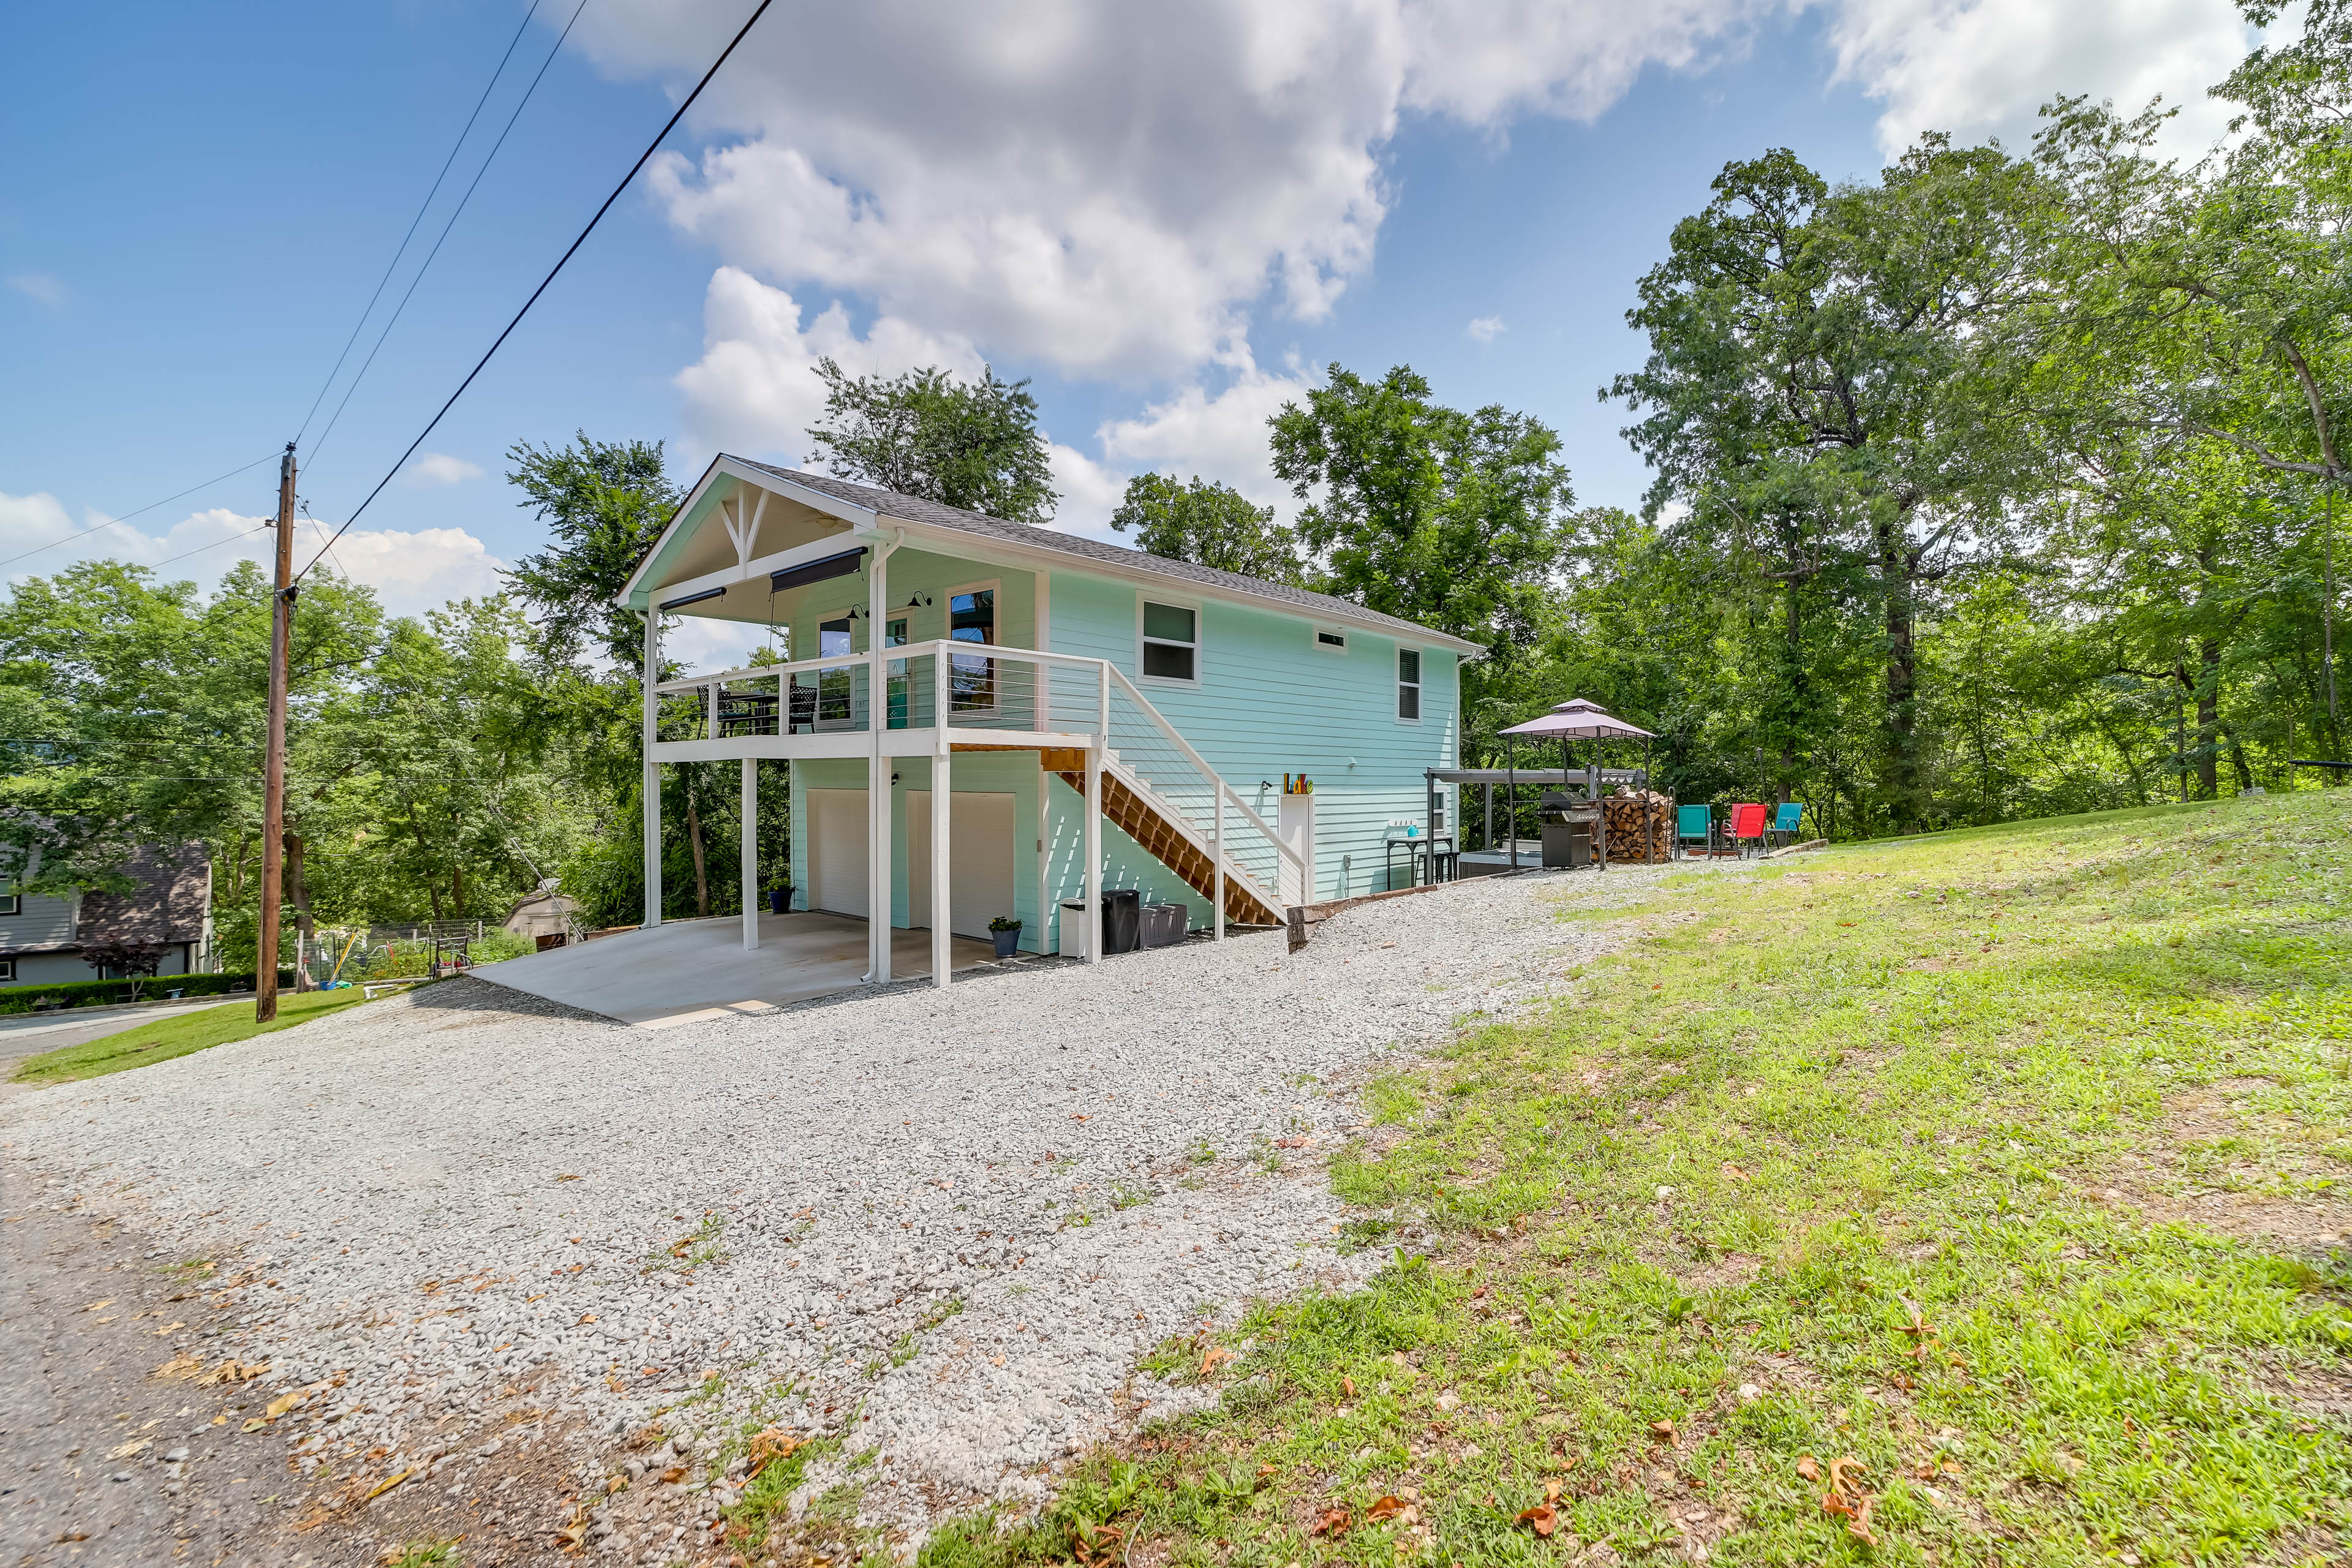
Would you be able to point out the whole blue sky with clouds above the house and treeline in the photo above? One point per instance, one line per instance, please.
(1168, 220)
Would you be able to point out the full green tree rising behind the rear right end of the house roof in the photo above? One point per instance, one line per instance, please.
(1422, 511)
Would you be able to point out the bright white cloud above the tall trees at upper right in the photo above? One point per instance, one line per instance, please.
(1984, 67)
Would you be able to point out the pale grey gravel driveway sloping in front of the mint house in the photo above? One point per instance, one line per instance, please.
(935, 1224)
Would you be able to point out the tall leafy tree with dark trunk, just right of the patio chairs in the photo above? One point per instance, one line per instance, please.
(1845, 335)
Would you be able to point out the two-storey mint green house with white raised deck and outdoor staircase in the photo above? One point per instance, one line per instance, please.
(996, 721)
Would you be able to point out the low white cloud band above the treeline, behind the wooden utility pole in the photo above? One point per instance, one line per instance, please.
(410, 570)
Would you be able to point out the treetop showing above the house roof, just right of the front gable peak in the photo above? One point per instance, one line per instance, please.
(930, 434)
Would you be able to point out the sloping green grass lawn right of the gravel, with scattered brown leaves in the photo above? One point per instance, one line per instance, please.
(1967, 1200)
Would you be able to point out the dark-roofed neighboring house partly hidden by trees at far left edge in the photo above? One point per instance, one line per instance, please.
(44, 937)
